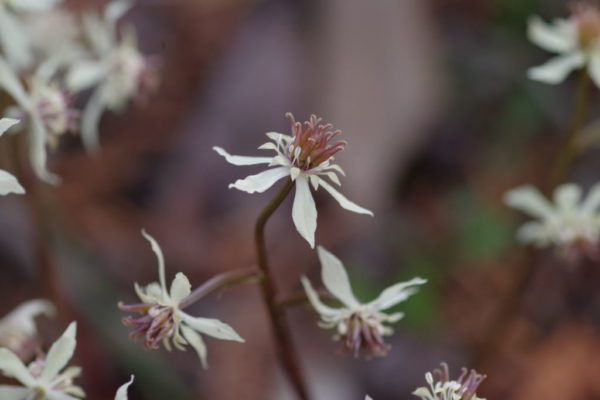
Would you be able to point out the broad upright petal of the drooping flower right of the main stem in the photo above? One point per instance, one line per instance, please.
(335, 278)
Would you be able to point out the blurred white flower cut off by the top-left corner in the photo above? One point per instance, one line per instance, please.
(14, 35)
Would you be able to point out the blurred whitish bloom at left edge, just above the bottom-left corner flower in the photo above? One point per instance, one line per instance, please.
(18, 330)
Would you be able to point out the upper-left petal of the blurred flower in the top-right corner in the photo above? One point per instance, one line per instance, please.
(551, 38)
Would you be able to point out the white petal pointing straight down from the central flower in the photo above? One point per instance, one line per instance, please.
(304, 211)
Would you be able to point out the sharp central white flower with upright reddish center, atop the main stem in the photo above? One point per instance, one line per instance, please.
(306, 157)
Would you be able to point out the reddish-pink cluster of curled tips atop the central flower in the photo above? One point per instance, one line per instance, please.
(312, 143)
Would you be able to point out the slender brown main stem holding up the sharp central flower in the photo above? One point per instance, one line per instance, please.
(281, 331)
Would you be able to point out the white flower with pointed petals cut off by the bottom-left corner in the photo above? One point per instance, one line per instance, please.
(43, 379)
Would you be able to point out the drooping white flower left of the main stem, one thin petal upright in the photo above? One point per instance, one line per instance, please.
(163, 320)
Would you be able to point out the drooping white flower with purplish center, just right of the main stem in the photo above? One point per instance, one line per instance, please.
(361, 326)
